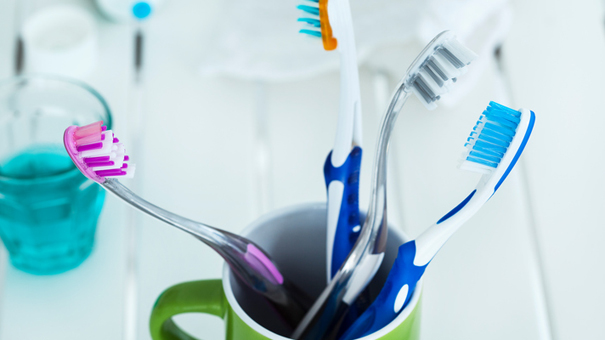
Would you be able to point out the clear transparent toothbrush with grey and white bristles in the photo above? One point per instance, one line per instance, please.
(430, 75)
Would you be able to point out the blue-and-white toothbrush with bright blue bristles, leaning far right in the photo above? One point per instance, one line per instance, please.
(493, 148)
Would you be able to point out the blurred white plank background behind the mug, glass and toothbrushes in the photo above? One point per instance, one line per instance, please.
(230, 113)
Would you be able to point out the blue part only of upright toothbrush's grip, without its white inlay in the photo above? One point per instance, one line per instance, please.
(346, 233)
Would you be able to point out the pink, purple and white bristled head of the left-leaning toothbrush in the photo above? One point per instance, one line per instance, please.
(97, 153)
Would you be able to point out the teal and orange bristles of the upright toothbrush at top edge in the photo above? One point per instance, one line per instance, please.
(317, 22)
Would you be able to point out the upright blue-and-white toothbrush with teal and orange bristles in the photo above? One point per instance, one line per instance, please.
(331, 21)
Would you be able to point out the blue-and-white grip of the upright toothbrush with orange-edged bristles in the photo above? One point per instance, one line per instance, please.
(342, 184)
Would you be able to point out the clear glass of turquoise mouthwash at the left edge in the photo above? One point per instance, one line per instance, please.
(48, 209)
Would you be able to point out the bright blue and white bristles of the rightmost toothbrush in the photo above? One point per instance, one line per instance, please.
(490, 138)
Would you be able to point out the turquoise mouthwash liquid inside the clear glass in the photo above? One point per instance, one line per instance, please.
(48, 211)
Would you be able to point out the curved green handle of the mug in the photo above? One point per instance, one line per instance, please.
(190, 297)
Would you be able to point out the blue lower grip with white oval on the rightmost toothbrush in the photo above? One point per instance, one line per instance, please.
(393, 297)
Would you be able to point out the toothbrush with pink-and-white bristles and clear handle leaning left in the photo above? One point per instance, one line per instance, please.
(101, 157)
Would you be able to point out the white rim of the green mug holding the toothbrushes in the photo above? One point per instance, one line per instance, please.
(405, 313)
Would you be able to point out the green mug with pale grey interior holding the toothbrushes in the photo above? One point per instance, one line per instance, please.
(296, 239)
